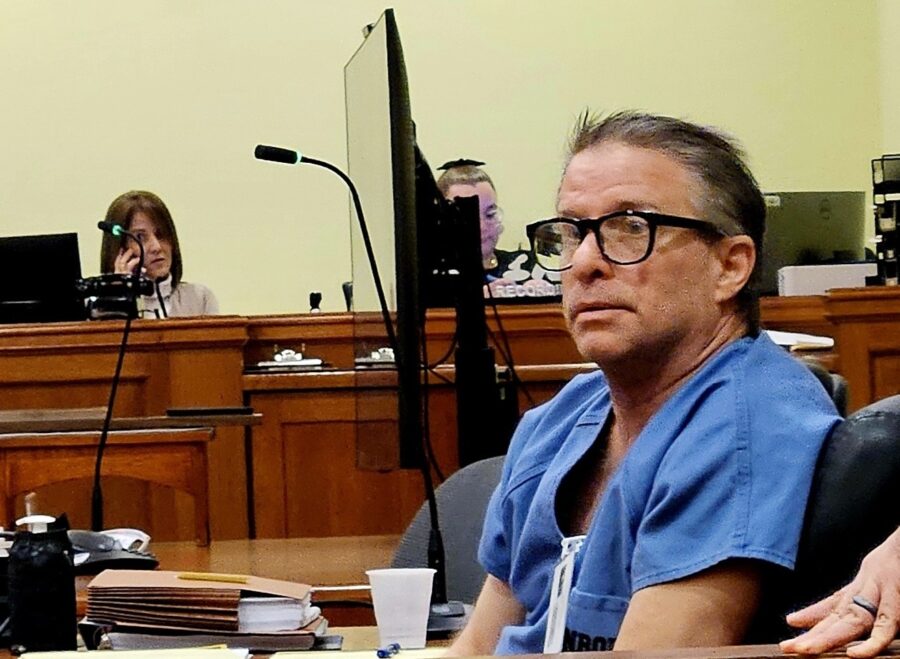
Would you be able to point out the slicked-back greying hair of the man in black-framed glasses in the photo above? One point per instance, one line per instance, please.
(730, 196)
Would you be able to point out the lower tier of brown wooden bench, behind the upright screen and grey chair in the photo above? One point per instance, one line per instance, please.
(307, 476)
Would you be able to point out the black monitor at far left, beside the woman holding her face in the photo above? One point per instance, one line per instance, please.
(37, 279)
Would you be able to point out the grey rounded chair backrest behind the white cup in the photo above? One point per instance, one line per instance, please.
(462, 501)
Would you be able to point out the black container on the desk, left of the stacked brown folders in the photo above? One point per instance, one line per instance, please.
(42, 591)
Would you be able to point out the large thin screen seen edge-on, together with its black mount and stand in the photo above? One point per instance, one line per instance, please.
(420, 241)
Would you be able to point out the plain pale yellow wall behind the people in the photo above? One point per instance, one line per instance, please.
(101, 96)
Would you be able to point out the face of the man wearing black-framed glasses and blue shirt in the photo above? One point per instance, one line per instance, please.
(648, 309)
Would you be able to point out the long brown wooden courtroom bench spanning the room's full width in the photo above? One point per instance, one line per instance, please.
(319, 463)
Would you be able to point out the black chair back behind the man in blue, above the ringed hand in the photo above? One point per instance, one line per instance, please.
(854, 505)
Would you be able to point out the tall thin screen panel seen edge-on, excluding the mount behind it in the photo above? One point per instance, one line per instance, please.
(381, 161)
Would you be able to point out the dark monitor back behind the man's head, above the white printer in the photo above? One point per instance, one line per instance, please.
(808, 228)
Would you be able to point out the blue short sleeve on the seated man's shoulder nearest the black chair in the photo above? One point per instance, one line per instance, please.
(734, 484)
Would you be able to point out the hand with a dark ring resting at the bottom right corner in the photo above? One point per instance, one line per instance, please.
(869, 604)
